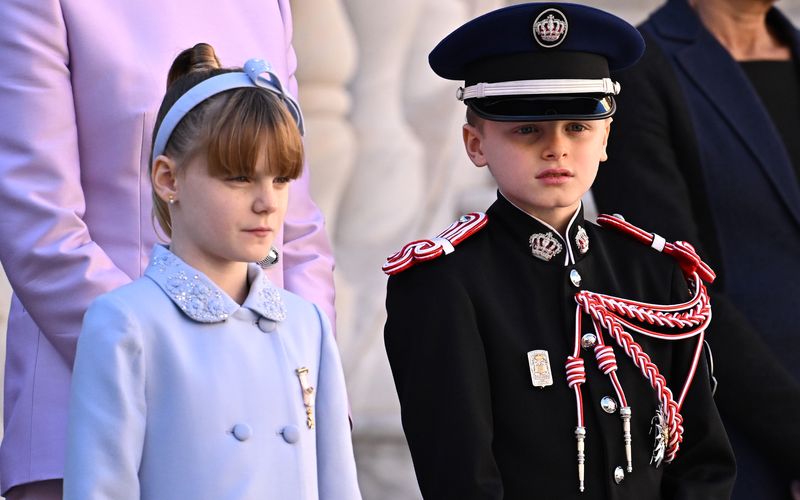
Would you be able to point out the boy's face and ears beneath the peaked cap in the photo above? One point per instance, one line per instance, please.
(543, 168)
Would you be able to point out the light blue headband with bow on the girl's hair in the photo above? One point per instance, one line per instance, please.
(256, 73)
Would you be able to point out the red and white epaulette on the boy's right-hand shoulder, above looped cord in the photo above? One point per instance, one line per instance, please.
(681, 251)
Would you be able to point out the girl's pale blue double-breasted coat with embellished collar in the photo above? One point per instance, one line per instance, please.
(180, 393)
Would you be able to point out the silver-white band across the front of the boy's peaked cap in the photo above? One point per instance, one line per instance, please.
(536, 87)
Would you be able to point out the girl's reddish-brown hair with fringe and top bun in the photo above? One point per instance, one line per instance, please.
(233, 129)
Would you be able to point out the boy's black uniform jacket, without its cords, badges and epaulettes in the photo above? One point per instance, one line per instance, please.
(457, 334)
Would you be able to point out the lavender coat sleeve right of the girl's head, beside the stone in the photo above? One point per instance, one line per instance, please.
(307, 257)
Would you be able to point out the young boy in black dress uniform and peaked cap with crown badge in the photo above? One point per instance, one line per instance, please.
(536, 354)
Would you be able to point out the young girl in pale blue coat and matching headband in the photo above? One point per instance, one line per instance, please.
(201, 379)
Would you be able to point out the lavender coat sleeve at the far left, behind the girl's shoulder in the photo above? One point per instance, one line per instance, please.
(46, 248)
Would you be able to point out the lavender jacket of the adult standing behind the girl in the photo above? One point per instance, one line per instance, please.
(80, 84)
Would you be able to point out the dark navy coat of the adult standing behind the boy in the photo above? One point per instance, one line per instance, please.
(695, 155)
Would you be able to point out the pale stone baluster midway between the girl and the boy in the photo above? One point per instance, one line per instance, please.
(379, 208)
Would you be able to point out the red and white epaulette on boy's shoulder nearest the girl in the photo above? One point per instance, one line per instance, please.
(442, 244)
